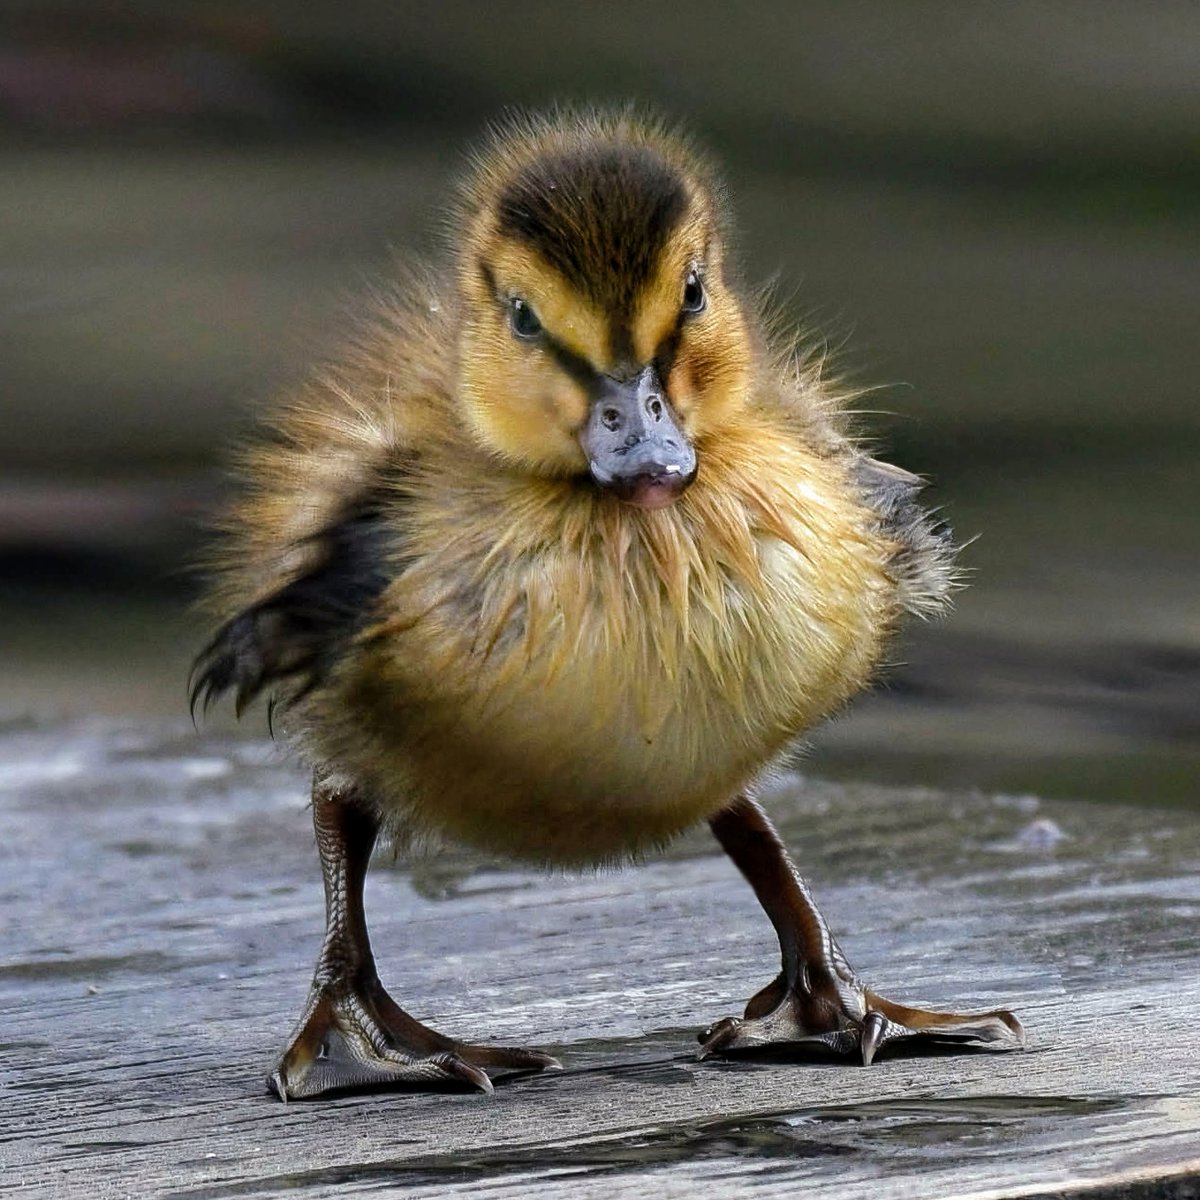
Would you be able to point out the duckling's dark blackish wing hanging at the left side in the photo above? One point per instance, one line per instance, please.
(296, 634)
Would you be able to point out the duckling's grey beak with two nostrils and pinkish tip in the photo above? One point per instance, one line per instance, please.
(635, 446)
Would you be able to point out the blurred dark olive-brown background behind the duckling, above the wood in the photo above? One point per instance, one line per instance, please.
(992, 213)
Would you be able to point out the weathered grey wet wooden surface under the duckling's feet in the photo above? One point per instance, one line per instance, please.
(161, 908)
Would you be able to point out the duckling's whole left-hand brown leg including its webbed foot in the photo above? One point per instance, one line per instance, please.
(352, 1034)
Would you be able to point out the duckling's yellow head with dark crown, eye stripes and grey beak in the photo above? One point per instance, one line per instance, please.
(599, 334)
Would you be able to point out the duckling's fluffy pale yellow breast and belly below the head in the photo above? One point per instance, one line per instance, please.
(566, 679)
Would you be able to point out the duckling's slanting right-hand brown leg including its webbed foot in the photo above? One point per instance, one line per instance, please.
(818, 999)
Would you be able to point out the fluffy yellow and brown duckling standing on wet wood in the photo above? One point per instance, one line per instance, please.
(559, 560)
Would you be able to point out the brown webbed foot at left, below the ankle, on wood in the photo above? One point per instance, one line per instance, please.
(358, 1037)
